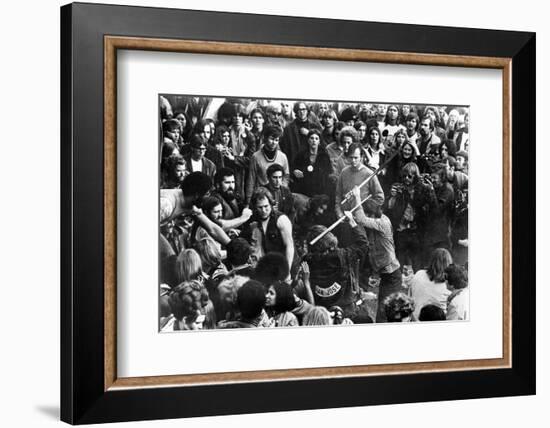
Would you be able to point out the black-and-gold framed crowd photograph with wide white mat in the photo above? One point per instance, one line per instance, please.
(266, 213)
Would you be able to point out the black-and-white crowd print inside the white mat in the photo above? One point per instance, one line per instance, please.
(296, 213)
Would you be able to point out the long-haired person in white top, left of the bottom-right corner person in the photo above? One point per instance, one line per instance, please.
(429, 286)
